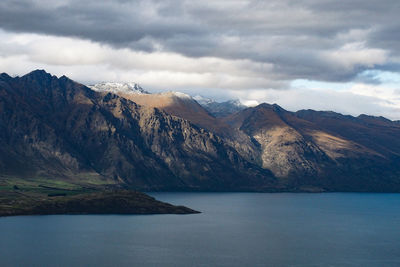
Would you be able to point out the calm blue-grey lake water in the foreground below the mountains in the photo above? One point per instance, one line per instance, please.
(235, 229)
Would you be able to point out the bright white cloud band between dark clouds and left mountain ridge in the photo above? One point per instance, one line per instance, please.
(90, 62)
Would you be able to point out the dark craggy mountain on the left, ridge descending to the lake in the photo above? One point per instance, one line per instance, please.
(56, 128)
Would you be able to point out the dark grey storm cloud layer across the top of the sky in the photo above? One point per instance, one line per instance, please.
(301, 39)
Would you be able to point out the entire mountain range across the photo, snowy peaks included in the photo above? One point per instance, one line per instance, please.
(119, 134)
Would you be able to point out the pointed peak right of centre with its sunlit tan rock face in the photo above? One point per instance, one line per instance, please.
(285, 151)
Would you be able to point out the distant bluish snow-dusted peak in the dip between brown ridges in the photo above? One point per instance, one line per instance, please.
(220, 109)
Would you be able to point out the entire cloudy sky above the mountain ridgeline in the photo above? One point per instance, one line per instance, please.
(334, 55)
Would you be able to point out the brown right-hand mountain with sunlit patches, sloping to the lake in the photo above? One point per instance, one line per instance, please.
(305, 153)
